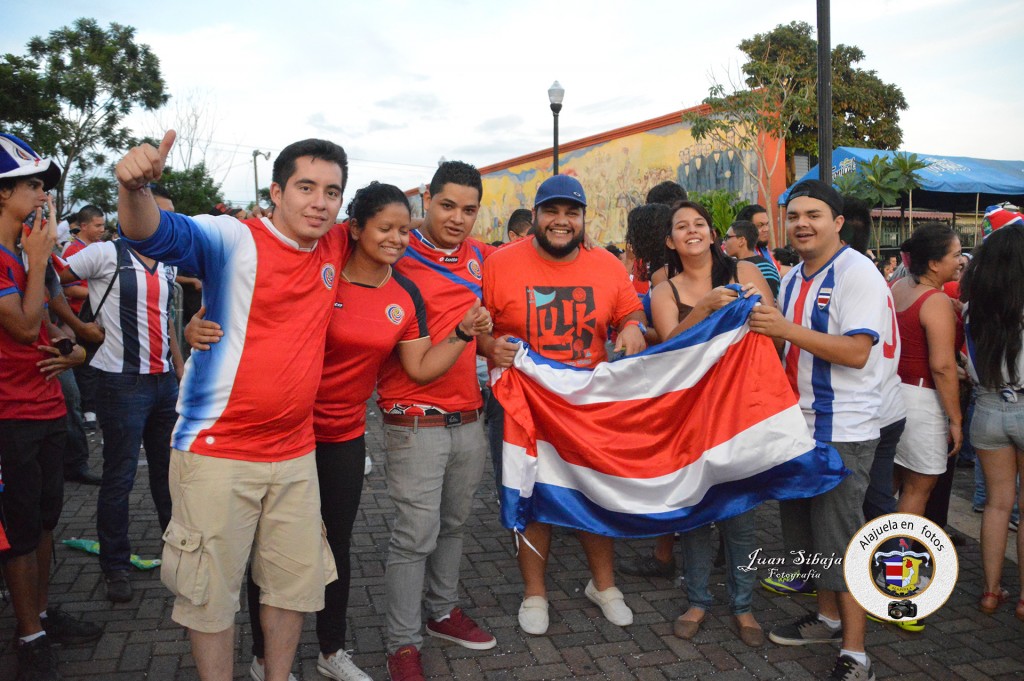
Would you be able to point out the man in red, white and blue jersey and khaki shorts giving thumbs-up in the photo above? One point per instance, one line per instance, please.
(243, 477)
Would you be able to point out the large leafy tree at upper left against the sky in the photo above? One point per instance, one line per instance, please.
(86, 79)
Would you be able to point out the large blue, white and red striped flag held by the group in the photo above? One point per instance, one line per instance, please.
(698, 430)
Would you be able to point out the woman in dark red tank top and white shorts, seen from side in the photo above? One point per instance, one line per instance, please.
(930, 334)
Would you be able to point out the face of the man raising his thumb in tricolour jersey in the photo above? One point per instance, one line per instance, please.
(308, 206)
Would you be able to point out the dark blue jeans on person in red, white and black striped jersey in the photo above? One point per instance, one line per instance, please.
(133, 410)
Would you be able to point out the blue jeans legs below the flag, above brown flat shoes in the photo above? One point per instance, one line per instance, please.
(740, 537)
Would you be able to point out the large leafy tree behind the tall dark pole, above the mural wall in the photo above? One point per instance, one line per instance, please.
(866, 110)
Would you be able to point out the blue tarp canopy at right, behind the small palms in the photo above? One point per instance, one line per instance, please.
(950, 183)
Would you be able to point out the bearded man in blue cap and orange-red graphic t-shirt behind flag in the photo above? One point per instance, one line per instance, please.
(562, 300)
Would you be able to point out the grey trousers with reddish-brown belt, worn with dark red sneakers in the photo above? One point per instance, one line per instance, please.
(433, 476)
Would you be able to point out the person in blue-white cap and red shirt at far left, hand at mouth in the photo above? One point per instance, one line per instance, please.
(32, 412)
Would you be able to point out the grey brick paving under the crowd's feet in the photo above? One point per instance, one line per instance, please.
(142, 643)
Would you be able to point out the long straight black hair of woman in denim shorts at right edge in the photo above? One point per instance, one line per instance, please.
(994, 288)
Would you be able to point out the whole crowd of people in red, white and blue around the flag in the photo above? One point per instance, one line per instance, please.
(257, 456)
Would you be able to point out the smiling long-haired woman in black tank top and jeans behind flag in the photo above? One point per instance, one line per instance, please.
(699, 273)
